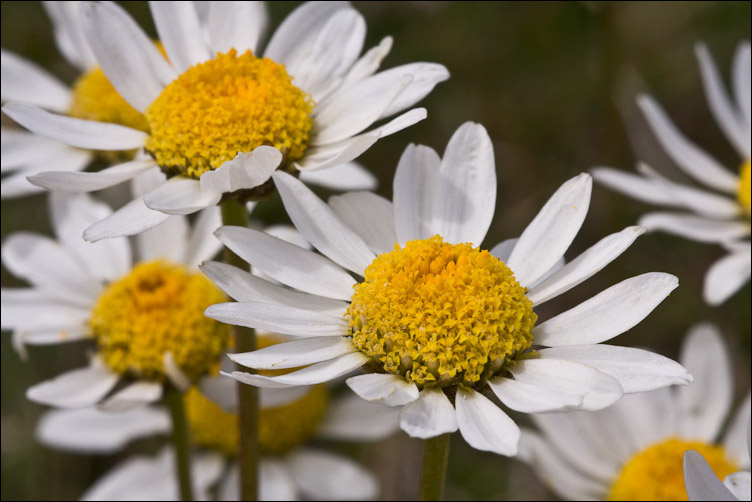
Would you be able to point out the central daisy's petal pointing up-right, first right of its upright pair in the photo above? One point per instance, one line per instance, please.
(549, 235)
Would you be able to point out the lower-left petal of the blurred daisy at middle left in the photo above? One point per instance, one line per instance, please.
(75, 389)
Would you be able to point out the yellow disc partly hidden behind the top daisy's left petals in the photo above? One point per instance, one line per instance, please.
(94, 98)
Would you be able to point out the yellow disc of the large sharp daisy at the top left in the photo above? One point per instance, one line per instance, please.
(224, 106)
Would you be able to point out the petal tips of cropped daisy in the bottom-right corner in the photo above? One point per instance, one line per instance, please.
(703, 484)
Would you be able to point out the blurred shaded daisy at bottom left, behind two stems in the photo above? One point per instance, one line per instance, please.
(289, 420)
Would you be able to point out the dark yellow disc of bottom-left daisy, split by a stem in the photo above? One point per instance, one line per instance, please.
(281, 429)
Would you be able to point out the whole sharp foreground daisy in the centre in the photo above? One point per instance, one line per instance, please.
(435, 321)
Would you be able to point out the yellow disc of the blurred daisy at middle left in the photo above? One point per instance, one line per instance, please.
(157, 308)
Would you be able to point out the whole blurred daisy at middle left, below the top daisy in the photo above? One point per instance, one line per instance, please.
(144, 315)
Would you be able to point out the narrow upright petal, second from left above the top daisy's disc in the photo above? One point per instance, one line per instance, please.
(178, 29)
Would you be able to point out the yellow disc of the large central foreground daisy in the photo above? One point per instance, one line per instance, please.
(440, 314)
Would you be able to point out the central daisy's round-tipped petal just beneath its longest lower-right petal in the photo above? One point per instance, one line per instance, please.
(598, 390)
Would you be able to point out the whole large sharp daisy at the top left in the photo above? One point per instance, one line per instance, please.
(220, 118)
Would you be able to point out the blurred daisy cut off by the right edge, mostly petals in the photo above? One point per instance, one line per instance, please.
(721, 213)
